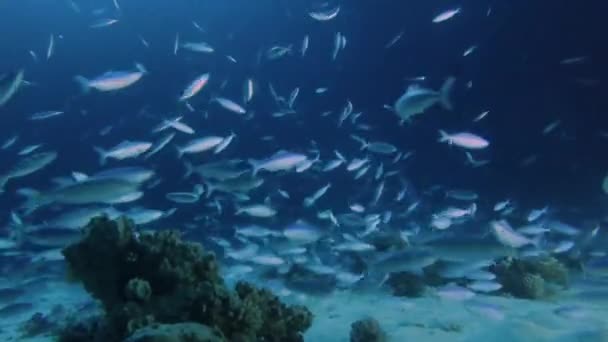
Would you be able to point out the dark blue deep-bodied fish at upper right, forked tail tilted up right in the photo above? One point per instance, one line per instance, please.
(416, 100)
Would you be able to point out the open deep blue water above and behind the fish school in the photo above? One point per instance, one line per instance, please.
(516, 74)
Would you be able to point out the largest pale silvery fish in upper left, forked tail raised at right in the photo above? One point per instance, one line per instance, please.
(111, 80)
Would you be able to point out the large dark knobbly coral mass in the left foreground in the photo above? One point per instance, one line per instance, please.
(149, 278)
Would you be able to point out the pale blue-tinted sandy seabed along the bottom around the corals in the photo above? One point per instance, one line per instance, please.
(405, 319)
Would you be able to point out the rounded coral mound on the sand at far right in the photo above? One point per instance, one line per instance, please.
(536, 278)
